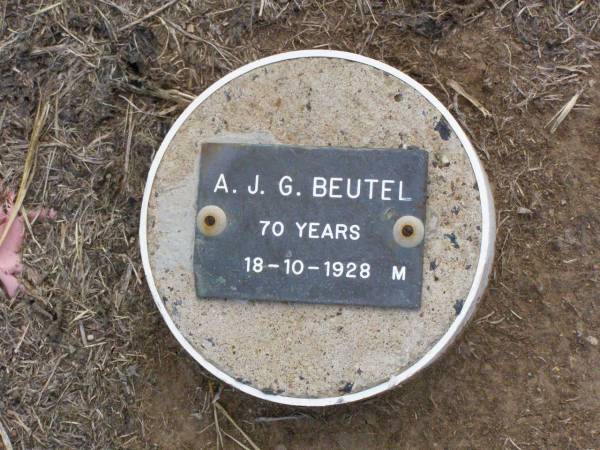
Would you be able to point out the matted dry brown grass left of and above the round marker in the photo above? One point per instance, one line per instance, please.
(115, 75)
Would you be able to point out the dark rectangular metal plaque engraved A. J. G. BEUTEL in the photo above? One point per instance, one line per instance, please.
(312, 225)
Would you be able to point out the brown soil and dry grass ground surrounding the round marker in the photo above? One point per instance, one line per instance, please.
(85, 360)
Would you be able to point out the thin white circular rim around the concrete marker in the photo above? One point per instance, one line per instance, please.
(480, 279)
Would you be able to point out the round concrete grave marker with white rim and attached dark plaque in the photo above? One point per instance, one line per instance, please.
(316, 228)
